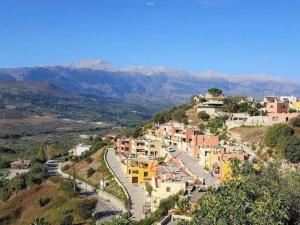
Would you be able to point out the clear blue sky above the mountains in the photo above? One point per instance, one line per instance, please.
(230, 36)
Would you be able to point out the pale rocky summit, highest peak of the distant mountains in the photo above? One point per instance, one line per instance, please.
(93, 64)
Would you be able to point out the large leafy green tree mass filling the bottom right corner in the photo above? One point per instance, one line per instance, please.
(265, 196)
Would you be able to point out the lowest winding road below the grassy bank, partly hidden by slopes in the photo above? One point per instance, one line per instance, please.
(103, 211)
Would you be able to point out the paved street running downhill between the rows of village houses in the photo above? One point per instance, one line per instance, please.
(194, 166)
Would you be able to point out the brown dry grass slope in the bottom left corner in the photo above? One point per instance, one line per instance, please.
(23, 207)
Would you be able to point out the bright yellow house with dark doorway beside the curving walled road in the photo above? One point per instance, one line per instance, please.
(139, 170)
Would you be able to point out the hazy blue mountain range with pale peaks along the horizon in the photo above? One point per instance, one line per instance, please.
(158, 86)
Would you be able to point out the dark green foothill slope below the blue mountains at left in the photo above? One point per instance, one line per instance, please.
(22, 98)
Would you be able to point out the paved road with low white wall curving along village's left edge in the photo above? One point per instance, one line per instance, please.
(136, 192)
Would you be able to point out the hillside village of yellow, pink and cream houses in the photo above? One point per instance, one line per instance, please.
(190, 156)
